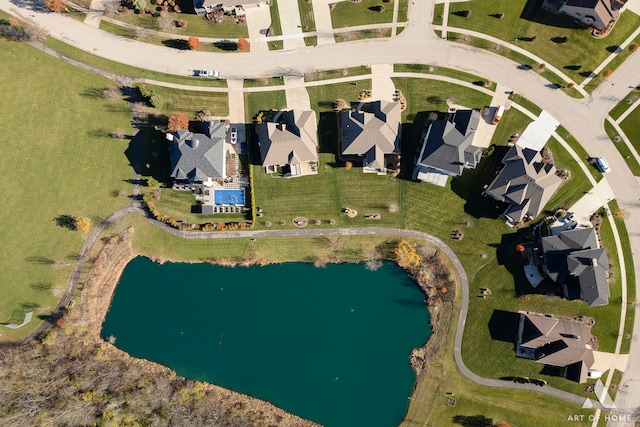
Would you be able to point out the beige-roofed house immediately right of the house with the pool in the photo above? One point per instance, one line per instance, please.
(289, 139)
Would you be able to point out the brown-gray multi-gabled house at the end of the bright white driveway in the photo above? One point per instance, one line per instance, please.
(525, 183)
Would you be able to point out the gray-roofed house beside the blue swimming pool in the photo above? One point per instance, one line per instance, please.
(198, 158)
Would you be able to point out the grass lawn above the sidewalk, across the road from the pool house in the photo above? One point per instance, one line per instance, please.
(197, 25)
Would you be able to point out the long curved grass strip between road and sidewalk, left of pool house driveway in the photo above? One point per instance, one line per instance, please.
(127, 70)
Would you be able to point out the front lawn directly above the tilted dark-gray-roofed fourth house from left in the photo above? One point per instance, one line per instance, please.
(430, 95)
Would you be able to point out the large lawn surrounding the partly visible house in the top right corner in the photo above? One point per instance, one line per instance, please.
(577, 55)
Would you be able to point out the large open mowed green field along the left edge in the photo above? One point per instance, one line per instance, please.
(57, 160)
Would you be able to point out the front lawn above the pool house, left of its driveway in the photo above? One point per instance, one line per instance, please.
(190, 102)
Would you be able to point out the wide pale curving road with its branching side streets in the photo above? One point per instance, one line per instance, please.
(416, 44)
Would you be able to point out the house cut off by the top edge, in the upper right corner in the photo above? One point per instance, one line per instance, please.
(596, 14)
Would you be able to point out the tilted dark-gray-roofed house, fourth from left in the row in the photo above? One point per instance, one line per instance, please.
(446, 145)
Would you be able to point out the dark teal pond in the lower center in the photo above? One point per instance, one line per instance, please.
(330, 344)
